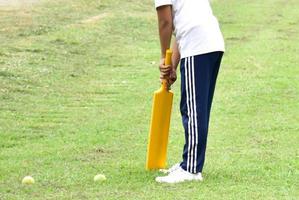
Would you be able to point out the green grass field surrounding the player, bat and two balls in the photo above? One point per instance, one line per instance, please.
(76, 85)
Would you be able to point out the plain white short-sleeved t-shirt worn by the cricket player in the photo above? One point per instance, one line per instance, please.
(195, 27)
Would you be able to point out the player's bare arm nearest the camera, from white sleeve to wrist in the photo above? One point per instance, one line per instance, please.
(165, 27)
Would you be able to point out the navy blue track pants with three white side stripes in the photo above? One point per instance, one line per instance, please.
(198, 80)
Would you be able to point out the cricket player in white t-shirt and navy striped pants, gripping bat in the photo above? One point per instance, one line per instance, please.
(198, 47)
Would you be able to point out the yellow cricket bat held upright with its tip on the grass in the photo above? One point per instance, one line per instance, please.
(159, 127)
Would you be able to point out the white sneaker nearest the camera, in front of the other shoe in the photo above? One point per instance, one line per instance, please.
(179, 175)
